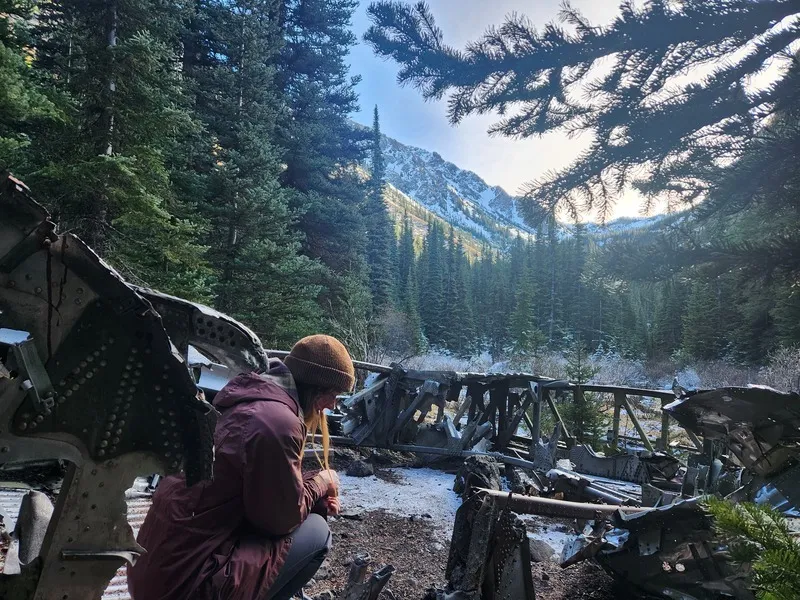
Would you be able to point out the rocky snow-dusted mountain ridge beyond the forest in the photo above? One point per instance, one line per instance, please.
(464, 200)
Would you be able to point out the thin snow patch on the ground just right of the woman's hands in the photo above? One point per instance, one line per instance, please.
(418, 492)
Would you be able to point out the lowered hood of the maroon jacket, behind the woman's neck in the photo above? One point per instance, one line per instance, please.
(276, 384)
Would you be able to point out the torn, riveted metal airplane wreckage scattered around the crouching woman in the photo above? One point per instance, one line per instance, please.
(108, 377)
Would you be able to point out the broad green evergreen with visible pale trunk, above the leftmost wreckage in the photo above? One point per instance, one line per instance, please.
(104, 169)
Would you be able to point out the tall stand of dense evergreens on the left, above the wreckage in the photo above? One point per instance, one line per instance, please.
(202, 148)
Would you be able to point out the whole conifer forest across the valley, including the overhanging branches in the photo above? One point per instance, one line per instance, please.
(206, 149)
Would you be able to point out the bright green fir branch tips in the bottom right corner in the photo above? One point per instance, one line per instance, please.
(759, 538)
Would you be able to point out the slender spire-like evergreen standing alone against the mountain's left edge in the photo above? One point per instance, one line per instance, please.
(381, 241)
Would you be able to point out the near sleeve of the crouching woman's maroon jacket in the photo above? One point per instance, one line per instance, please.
(276, 497)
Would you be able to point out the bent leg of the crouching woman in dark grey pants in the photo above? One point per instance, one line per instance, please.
(310, 545)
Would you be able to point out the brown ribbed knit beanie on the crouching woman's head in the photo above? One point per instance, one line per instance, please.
(323, 361)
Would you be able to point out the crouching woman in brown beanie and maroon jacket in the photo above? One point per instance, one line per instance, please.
(258, 530)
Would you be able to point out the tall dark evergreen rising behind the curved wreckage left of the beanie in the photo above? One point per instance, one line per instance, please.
(261, 278)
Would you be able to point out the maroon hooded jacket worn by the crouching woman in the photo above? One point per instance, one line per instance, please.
(226, 538)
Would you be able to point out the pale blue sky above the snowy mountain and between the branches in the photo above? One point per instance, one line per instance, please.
(409, 119)
